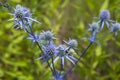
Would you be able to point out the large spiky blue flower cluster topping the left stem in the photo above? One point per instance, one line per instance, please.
(22, 17)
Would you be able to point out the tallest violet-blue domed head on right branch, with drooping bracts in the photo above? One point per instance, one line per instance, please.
(105, 19)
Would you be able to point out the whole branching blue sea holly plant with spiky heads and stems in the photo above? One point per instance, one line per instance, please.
(50, 52)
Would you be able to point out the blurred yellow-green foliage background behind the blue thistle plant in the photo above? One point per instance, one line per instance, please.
(67, 19)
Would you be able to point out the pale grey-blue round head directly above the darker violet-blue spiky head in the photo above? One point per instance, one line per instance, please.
(47, 35)
